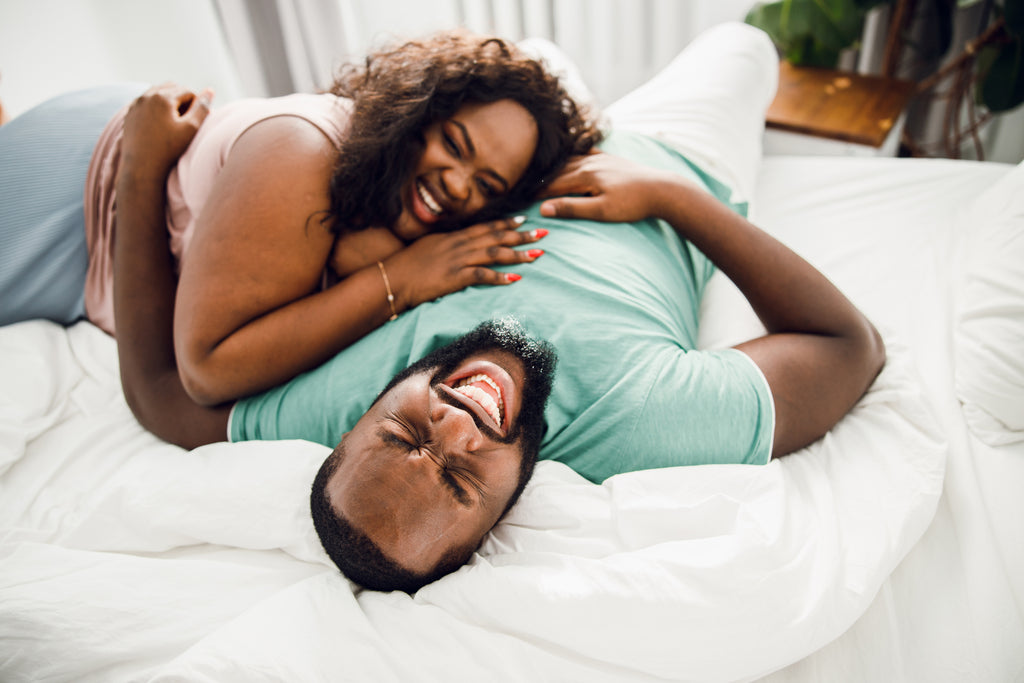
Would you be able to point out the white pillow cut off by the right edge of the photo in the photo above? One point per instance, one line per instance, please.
(989, 335)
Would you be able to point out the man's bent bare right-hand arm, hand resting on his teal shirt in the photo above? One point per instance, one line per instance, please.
(821, 354)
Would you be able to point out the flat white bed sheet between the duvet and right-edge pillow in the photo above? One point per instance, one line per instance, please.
(953, 611)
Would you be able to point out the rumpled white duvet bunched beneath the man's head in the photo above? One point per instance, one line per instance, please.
(124, 559)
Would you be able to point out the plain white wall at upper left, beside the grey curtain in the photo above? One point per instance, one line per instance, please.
(53, 47)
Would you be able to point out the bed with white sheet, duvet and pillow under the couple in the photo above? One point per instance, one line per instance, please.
(890, 550)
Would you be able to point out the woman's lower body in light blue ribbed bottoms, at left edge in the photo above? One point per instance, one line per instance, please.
(45, 156)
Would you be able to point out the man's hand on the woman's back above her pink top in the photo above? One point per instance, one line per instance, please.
(160, 126)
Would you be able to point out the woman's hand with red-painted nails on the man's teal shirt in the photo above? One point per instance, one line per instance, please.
(442, 264)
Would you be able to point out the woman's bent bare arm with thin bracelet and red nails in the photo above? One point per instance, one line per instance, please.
(250, 312)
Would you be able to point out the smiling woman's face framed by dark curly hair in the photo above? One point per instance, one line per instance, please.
(468, 161)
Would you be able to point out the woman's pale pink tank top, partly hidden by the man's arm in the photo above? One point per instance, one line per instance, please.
(189, 185)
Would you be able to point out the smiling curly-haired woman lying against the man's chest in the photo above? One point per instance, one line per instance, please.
(298, 222)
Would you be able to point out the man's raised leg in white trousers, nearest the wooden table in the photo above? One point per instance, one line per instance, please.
(710, 104)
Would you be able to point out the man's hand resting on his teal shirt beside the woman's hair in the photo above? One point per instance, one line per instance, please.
(601, 187)
